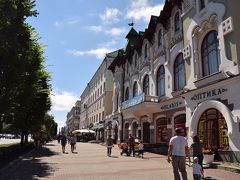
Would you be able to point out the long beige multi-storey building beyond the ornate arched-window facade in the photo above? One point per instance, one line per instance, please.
(96, 100)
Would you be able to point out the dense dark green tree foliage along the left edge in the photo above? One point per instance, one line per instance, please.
(24, 82)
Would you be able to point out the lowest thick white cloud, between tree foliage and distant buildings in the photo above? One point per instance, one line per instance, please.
(63, 101)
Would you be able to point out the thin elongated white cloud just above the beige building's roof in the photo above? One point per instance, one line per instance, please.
(98, 53)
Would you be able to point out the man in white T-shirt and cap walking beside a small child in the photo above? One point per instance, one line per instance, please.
(178, 149)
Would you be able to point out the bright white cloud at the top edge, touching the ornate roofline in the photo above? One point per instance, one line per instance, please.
(141, 9)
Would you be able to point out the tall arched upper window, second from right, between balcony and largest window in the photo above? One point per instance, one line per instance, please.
(179, 73)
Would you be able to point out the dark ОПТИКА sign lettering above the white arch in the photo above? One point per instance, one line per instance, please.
(207, 94)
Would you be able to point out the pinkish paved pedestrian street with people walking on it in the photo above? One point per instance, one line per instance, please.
(90, 162)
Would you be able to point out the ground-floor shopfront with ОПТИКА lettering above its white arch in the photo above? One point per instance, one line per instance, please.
(213, 113)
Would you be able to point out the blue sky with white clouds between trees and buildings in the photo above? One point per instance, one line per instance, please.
(77, 34)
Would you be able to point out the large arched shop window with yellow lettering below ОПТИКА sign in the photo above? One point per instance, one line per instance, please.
(213, 130)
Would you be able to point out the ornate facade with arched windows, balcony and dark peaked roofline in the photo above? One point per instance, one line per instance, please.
(182, 71)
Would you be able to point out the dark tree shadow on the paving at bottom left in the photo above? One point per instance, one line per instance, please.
(30, 167)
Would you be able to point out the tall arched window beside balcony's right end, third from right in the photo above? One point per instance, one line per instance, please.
(161, 81)
